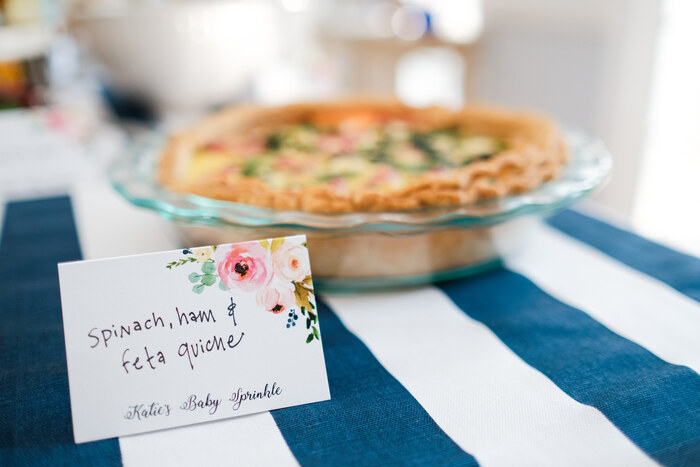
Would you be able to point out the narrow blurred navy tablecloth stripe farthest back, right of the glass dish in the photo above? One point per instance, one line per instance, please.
(680, 271)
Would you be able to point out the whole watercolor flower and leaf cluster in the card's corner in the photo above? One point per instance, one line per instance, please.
(277, 270)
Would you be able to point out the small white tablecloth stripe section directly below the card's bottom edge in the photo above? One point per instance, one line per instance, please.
(248, 440)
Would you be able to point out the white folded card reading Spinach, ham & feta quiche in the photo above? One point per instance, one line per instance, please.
(180, 337)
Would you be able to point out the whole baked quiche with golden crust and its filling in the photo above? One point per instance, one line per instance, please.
(362, 155)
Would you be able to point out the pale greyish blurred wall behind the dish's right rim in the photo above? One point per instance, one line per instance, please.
(586, 63)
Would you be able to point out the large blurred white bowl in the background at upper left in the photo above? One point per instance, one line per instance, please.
(184, 55)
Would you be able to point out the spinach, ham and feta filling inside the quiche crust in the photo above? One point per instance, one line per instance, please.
(379, 157)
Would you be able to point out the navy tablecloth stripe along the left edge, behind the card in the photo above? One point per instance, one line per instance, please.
(35, 425)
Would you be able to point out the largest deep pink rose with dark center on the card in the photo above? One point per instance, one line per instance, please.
(246, 267)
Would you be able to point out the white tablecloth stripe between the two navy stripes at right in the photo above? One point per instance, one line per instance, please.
(628, 302)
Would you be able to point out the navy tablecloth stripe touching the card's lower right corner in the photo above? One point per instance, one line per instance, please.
(371, 418)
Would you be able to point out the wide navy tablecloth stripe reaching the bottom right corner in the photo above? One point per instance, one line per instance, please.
(656, 404)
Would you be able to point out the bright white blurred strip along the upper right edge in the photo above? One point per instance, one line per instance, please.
(667, 204)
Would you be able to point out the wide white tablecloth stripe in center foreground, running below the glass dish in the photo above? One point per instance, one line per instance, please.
(490, 402)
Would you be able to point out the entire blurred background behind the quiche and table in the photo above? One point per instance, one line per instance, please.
(78, 78)
